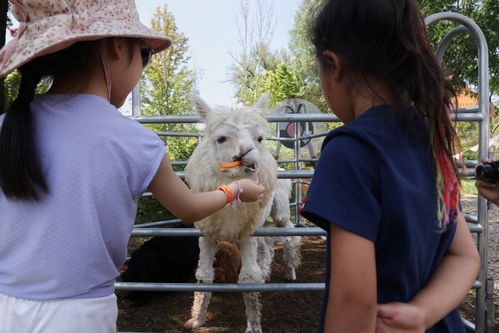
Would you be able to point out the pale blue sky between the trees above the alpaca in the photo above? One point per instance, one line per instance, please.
(211, 27)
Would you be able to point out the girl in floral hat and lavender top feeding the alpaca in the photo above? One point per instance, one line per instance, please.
(72, 168)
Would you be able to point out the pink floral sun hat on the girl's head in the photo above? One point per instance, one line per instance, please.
(48, 26)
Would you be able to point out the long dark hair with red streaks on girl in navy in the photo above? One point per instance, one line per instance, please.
(386, 40)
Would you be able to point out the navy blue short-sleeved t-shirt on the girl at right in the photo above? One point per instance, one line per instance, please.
(375, 179)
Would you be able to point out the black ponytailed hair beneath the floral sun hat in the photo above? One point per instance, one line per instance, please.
(21, 174)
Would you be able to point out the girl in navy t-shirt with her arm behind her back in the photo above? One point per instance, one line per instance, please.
(400, 255)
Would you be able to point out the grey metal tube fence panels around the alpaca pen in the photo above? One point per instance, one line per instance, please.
(484, 314)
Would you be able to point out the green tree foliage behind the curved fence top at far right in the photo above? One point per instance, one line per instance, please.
(461, 58)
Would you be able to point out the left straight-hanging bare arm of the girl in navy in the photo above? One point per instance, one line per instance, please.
(352, 285)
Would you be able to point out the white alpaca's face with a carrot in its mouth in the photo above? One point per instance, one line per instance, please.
(235, 135)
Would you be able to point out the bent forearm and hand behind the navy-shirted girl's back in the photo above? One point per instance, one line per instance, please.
(444, 291)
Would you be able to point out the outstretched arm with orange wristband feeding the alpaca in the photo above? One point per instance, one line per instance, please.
(173, 194)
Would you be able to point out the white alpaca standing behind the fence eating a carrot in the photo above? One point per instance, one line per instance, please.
(233, 135)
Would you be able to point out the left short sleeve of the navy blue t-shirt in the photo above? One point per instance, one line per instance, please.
(345, 187)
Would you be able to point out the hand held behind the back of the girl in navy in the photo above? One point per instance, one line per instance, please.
(399, 318)
